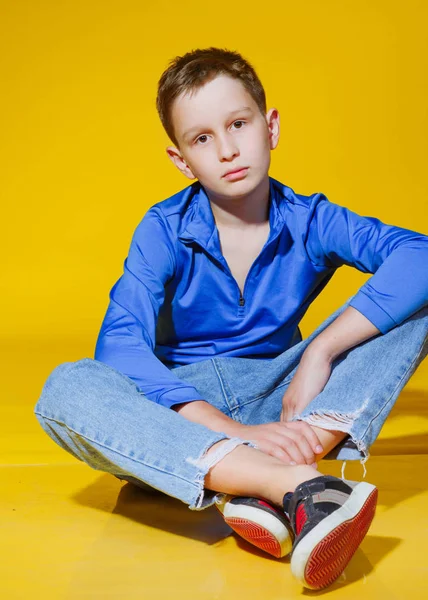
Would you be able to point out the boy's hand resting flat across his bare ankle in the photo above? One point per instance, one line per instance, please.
(292, 442)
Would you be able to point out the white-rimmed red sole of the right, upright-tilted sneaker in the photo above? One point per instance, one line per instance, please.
(322, 555)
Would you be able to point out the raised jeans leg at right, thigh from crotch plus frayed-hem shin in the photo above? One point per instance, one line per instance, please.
(362, 389)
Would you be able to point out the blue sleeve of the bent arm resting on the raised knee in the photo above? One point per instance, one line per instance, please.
(397, 257)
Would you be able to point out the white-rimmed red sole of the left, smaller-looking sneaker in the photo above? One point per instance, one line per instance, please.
(259, 528)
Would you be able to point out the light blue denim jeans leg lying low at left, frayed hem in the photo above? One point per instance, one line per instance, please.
(99, 416)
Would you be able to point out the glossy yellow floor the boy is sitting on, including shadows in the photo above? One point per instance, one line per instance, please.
(68, 531)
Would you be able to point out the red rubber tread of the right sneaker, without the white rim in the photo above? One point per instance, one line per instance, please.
(329, 558)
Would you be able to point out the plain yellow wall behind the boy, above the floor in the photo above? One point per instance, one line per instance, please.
(83, 150)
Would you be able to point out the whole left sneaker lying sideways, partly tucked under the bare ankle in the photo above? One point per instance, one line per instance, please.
(258, 522)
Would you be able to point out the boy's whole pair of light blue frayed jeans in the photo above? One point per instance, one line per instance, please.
(99, 416)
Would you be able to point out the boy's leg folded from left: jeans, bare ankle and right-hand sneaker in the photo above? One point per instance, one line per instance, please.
(98, 415)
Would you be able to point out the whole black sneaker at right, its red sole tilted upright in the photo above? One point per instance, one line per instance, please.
(330, 518)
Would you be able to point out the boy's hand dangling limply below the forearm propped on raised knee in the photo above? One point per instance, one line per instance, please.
(311, 376)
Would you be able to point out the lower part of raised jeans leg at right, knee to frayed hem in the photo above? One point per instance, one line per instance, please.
(365, 384)
